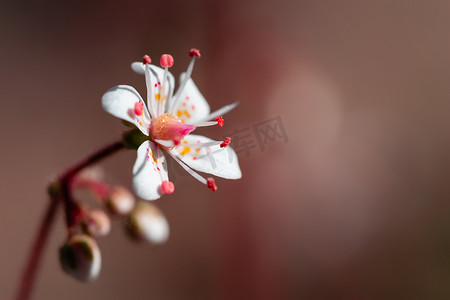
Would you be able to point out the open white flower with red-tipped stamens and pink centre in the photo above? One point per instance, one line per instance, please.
(167, 119)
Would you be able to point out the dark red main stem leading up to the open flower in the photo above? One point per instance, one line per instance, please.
(35, 254)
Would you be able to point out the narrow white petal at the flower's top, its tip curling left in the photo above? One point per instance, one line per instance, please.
(157, 76)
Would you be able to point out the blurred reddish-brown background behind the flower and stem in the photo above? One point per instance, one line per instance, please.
(354, 206)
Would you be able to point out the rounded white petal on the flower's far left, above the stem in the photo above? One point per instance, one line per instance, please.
(120, 100)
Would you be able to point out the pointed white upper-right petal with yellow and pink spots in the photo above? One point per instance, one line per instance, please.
(192, 106)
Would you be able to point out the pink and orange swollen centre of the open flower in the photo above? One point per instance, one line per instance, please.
(169, 127)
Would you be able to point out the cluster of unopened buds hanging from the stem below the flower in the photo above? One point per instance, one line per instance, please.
(80, 255)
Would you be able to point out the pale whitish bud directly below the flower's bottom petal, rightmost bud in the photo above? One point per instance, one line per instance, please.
(147, 223)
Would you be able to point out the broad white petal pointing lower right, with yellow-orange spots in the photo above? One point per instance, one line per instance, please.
(221, 162)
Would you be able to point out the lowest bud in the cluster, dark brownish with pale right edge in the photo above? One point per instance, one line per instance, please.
(80, 257)
